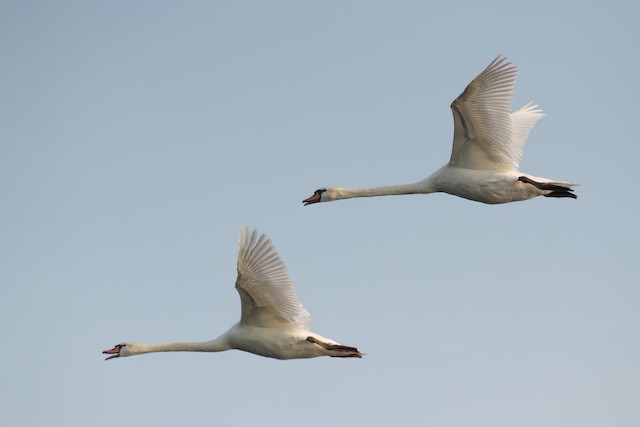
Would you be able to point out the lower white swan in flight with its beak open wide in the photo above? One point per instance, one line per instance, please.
(273, 322)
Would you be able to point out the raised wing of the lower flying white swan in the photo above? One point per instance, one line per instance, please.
(266, 292)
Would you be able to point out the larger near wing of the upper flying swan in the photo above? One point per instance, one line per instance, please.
(483, 134)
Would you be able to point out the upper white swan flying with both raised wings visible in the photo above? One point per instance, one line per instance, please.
(488, 141)
